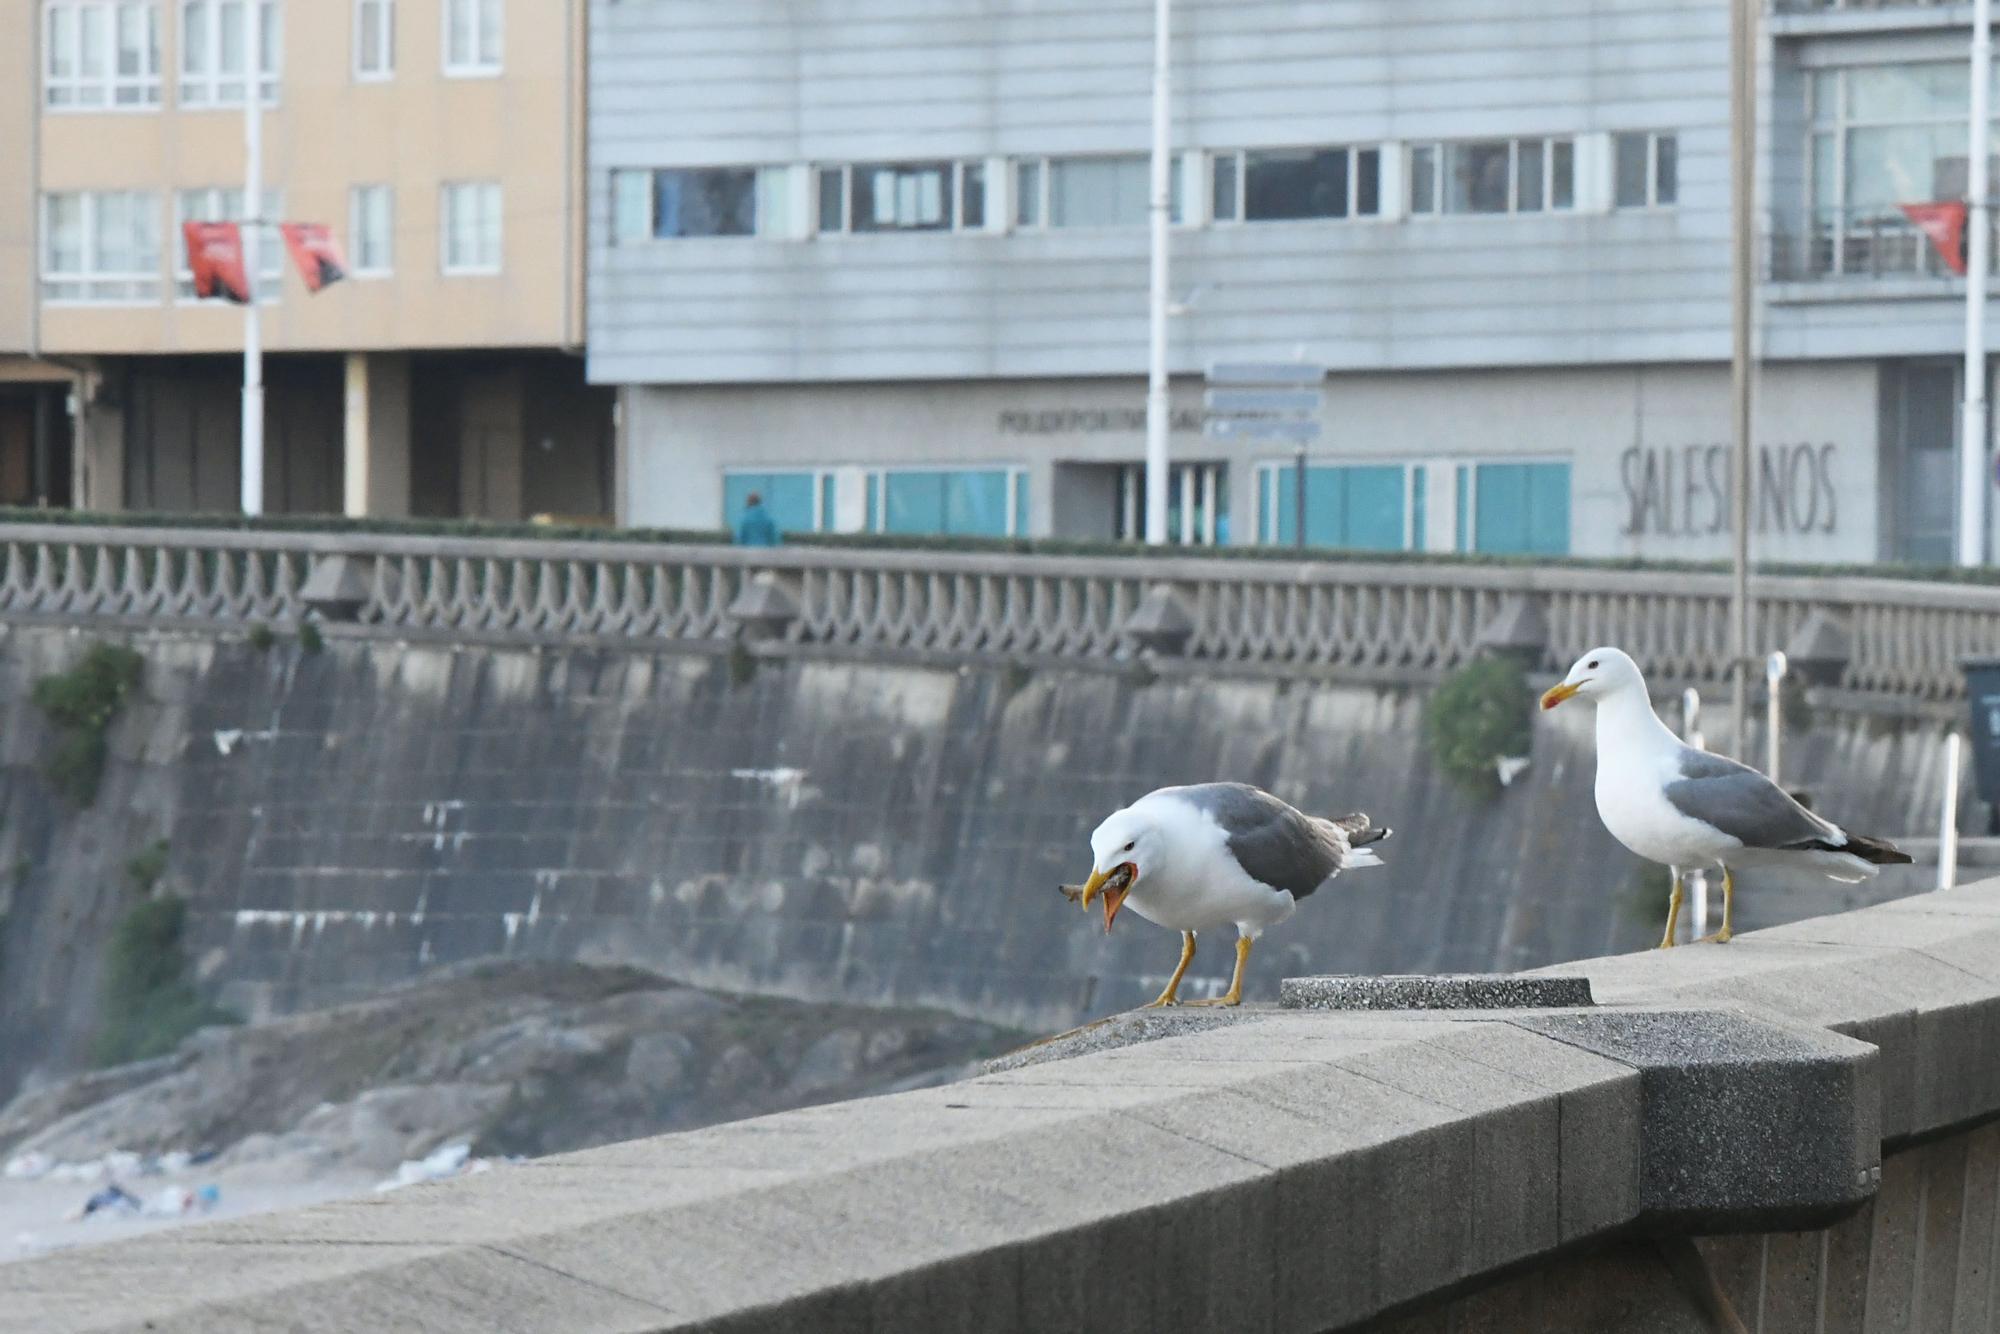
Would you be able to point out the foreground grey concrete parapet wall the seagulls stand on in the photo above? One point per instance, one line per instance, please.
(1831, 1085)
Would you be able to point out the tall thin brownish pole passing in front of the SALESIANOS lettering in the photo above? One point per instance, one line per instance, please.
(1743, 273)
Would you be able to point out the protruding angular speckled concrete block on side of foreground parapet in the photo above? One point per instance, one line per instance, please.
(1747, 1125)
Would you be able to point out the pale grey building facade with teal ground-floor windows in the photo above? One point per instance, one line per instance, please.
(887, 265)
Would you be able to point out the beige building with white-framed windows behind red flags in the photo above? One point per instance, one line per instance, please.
(443, 145)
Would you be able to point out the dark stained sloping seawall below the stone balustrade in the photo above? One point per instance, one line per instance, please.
(803, 825)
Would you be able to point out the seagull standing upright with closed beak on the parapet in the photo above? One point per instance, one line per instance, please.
(1685, 809)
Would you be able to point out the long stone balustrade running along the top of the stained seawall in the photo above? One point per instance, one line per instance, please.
(1273, 615)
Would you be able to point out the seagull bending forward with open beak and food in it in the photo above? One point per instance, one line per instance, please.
(1201, 857)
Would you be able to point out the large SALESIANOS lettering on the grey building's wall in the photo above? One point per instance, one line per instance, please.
(1685, 491)
